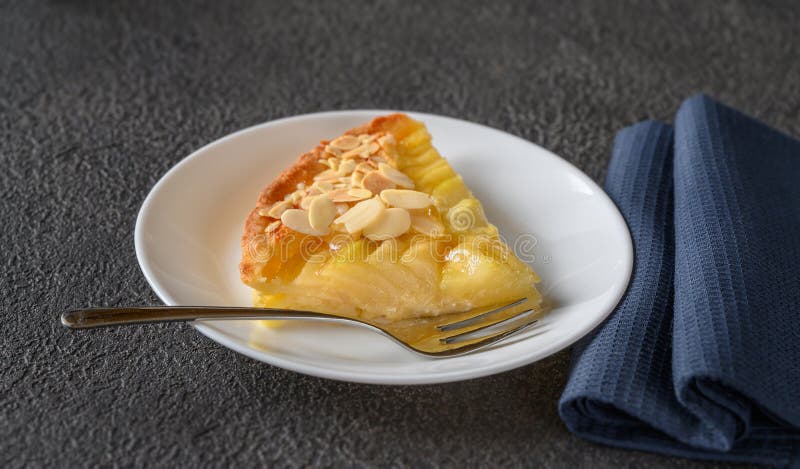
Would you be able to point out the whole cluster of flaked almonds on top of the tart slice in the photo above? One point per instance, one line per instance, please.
(351, 195)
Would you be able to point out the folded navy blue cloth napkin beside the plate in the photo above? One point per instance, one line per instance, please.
(701, 358)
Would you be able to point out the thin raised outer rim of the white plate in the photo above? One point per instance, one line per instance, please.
(347, 376)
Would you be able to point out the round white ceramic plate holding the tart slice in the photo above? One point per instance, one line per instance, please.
(189, 227)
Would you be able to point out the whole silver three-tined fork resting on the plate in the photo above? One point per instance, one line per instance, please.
(431, 337)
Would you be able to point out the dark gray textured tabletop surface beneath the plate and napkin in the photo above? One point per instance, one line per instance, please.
(98, 100)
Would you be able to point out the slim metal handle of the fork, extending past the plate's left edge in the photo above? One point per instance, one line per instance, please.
(100, 317)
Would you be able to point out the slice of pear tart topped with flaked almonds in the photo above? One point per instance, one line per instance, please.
(375, 224)
